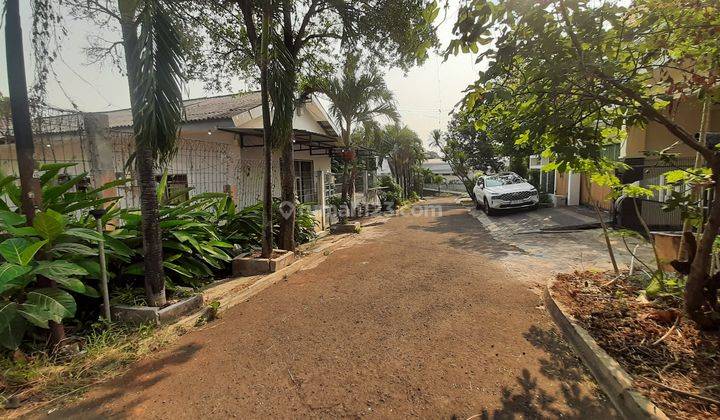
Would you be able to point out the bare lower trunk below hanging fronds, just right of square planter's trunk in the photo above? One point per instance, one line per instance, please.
(287, 183)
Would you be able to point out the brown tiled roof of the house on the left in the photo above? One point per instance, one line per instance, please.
(199, 109)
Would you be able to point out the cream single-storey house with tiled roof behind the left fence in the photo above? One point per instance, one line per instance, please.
(219, 149)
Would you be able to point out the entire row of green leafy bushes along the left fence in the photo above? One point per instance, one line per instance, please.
(198, 236)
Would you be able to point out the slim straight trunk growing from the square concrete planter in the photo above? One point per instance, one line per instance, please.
(267, 243)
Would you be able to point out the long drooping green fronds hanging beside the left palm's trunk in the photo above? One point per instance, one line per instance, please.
(160, 78)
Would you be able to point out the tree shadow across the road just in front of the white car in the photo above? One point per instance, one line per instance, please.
(463, 232)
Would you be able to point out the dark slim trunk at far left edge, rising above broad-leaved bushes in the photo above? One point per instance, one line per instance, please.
(31, 194)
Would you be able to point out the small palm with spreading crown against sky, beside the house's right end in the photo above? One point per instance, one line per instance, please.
(357, 96)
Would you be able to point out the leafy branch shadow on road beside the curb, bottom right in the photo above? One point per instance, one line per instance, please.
(532, 402)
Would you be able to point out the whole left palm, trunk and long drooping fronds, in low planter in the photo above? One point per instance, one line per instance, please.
(153, 59)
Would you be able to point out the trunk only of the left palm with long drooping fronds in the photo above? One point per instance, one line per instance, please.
(145, 164)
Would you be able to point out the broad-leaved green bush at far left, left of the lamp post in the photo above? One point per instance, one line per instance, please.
(60, 245)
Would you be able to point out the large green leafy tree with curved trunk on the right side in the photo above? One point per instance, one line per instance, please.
(567, 77)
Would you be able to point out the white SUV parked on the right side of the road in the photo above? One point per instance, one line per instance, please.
(506, 190)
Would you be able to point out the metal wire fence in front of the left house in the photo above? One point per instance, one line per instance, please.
(204, 165)
